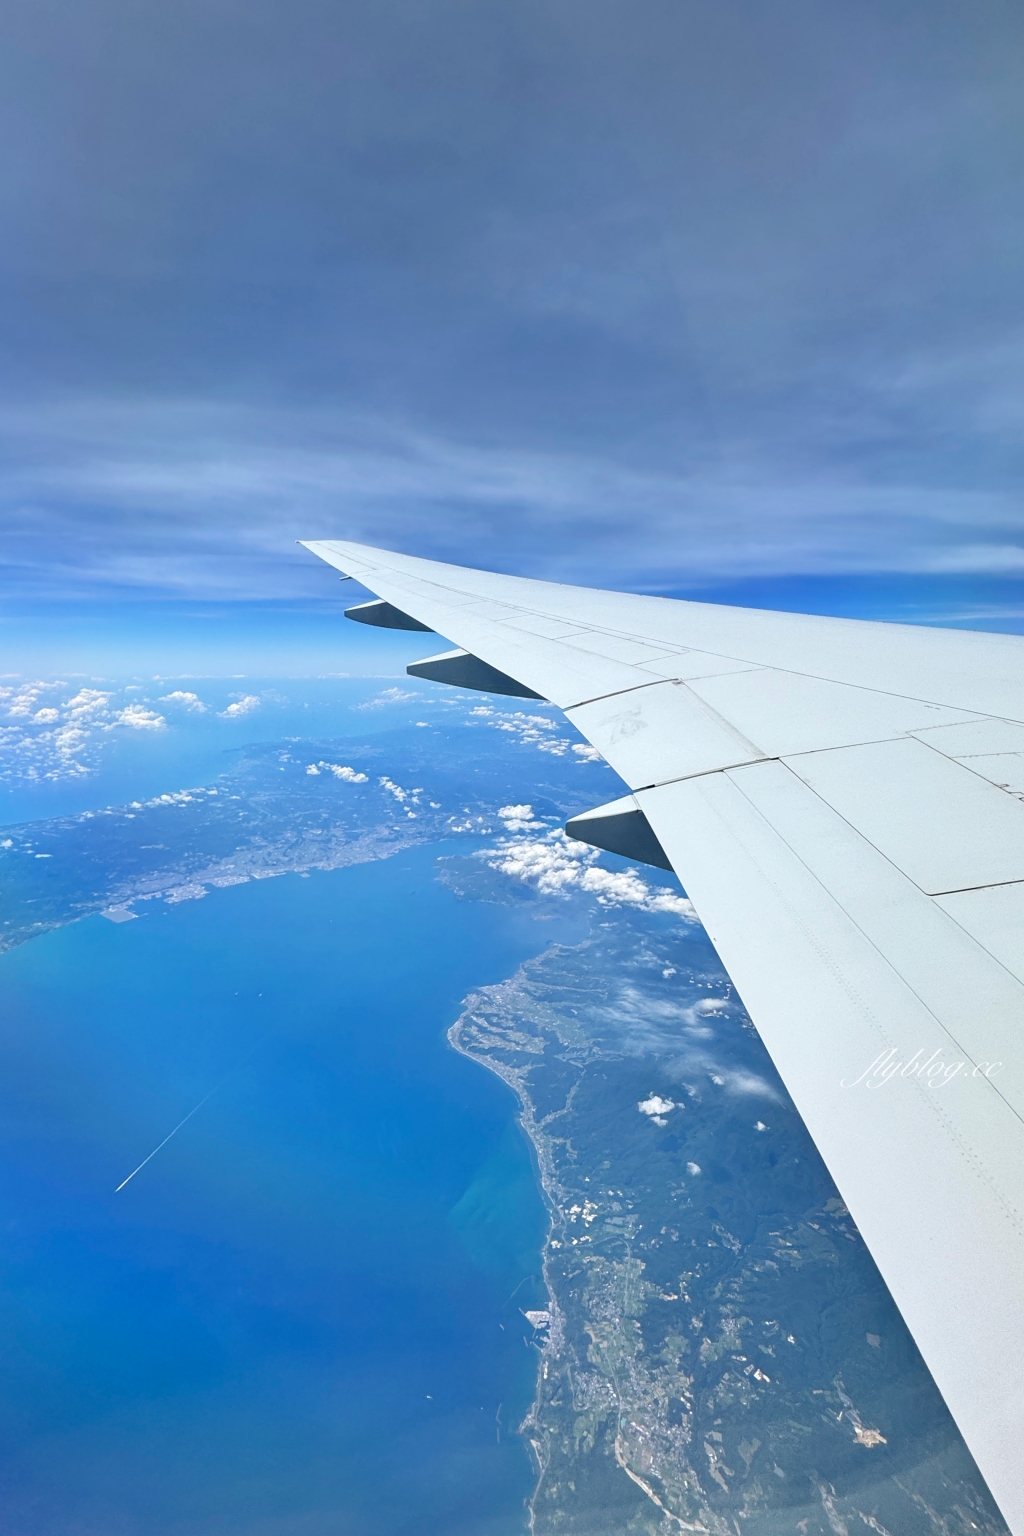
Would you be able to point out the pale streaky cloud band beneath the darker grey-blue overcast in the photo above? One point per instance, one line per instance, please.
(122, 497)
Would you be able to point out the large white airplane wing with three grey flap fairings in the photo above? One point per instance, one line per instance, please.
(844, 806)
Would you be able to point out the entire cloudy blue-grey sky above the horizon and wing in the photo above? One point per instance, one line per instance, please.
(699, 297)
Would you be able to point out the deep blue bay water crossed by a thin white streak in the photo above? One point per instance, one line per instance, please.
(300, 1316)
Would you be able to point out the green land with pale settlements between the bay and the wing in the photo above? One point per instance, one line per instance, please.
(695, 1245)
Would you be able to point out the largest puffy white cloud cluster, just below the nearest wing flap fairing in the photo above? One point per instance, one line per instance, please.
(557, 864)
